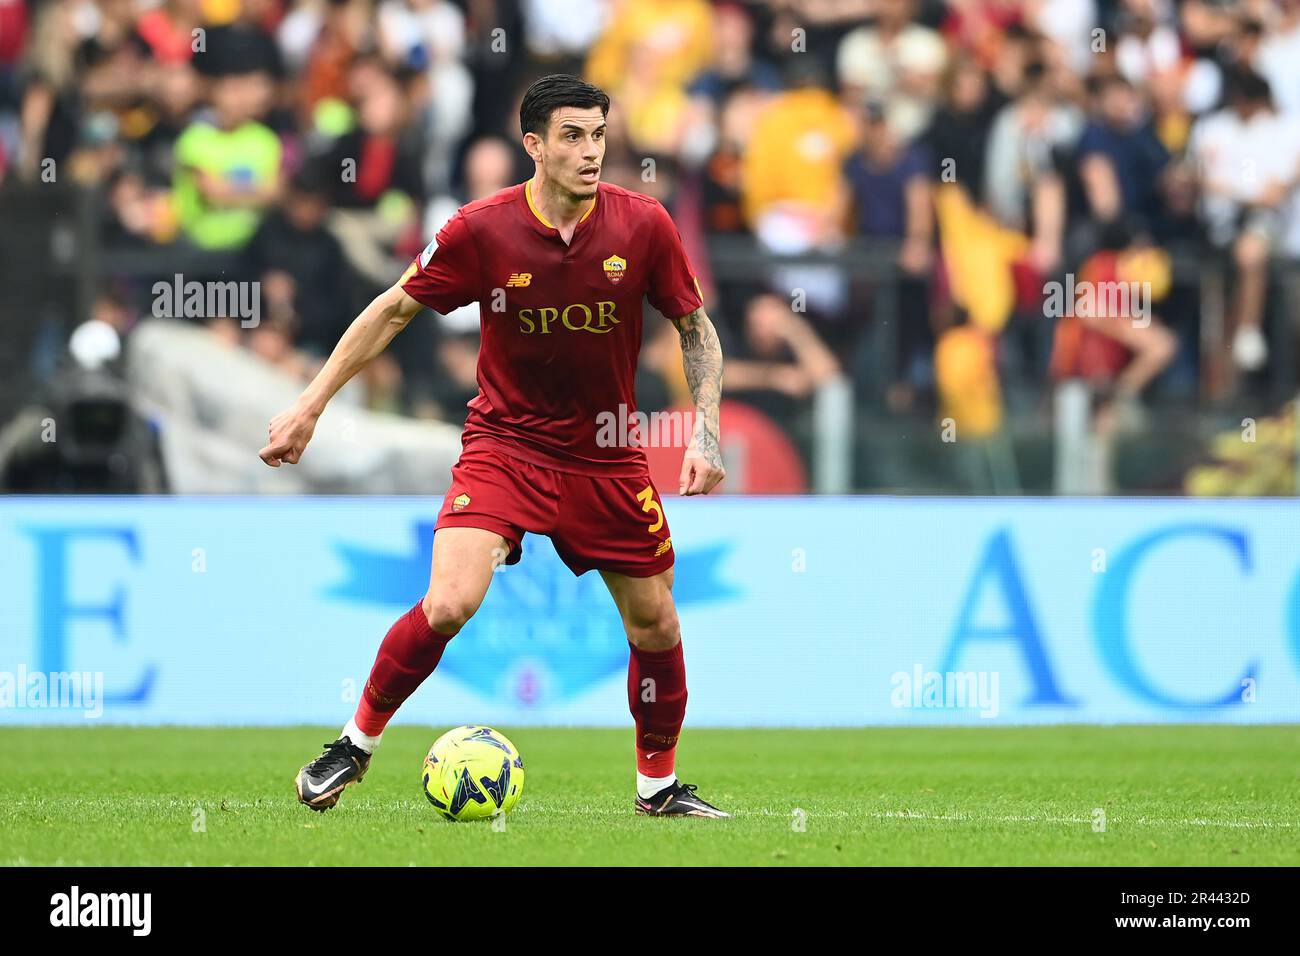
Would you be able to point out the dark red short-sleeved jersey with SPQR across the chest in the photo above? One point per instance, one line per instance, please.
(561, 323)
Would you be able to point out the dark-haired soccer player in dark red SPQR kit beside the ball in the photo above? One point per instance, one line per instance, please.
(560, 266)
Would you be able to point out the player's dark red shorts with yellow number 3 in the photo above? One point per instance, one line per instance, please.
(596, 524)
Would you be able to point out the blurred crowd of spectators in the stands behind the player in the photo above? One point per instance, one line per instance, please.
(983, 149)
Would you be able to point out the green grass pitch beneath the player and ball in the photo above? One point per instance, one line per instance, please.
(1190, 795)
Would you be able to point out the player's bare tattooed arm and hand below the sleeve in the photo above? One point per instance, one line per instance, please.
(703, 360)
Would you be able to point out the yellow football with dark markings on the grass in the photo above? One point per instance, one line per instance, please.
(474, 773)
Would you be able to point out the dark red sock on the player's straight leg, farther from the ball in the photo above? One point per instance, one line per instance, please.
(657, 697)
